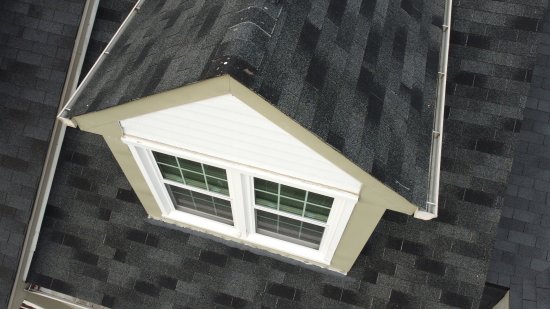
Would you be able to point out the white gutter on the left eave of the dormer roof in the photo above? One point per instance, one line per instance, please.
(63, 115)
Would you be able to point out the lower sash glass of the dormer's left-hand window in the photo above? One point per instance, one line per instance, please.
(201, 204)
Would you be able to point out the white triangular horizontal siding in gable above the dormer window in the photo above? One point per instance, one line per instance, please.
(226, 128)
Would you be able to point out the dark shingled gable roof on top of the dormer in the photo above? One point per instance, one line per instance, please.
(359, 74)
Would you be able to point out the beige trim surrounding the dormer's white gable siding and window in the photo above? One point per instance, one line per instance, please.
(374, 198)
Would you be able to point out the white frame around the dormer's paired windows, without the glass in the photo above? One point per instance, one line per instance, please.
(241, 195)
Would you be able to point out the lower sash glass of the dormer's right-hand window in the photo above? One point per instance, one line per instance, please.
(287, 229)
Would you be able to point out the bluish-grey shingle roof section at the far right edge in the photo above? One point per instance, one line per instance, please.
(520, 258)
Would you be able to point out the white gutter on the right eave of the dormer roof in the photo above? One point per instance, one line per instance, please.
(437, 135)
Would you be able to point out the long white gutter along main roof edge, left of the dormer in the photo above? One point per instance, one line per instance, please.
(33, 229)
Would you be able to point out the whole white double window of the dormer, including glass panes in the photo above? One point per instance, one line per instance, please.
(298, 218)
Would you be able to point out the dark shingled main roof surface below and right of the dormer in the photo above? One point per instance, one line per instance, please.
(97, 245)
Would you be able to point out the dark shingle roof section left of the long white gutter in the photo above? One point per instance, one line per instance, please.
(36, 38)
